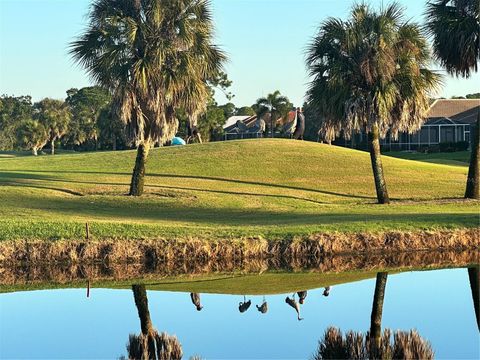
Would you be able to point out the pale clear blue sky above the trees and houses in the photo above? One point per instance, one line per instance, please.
(265, 40)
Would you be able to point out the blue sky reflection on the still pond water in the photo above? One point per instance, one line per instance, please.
(64, 324)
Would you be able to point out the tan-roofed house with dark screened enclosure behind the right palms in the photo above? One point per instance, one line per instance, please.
(450, 121)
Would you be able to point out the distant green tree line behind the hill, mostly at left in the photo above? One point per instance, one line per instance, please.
(84, 121)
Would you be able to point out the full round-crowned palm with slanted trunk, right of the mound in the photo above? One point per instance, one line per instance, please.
(369, 74)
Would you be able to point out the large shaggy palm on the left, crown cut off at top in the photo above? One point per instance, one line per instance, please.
(155, 56)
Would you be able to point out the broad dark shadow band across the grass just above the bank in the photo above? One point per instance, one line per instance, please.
(145, 210)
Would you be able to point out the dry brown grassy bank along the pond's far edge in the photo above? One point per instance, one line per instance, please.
(163, 251)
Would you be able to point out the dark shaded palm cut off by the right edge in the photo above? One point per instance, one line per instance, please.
(455, 27)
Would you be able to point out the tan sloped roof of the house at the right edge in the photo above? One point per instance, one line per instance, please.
(454, 111)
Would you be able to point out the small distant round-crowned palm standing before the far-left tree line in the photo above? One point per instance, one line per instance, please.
(55, 116)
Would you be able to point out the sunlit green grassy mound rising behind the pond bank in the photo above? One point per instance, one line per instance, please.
(273, 188)
